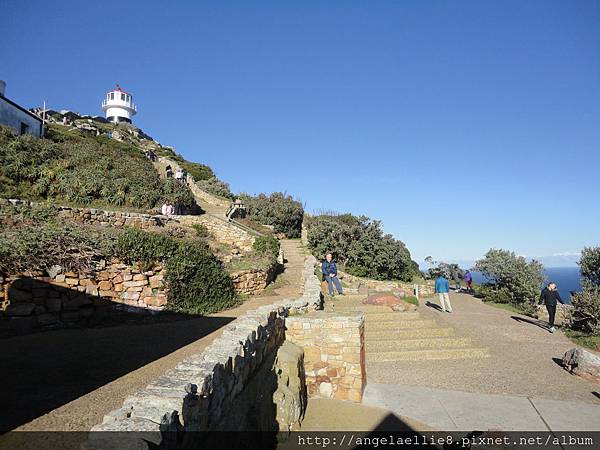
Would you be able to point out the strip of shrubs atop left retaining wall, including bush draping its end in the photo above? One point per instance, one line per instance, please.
(35, 239)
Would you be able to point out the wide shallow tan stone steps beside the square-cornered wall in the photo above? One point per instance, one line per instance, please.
(405, 336)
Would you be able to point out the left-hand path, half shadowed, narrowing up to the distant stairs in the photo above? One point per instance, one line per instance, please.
(68, 379)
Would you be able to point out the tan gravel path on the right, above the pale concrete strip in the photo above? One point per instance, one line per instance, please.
(523, 357)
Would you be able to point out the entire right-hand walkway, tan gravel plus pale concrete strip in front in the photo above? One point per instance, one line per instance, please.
(520, 386)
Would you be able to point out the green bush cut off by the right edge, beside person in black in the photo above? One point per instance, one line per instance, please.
(587, 302)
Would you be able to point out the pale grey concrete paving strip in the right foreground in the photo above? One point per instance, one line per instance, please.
(462, 411)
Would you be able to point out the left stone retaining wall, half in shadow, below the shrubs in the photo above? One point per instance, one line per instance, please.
(40, 300)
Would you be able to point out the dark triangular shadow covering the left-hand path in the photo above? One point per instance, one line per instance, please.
(43, 371)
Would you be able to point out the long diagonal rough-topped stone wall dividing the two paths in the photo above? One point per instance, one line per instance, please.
(247, 379)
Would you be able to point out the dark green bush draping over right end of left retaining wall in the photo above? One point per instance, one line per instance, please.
(197, 281)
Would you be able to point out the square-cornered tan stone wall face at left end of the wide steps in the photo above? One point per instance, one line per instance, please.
(334, 353)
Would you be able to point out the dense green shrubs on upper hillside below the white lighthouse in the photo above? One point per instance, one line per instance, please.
(79, 169)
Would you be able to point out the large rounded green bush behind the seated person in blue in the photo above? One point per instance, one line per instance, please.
(361, 246)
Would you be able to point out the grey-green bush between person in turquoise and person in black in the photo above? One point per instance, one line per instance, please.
(512, 279)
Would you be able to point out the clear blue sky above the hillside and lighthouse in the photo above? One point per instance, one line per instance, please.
(461, 125)
